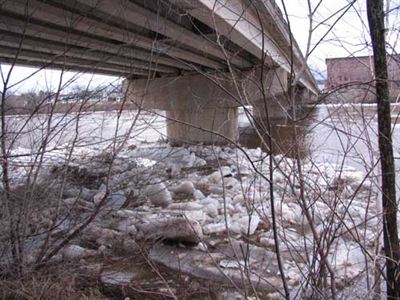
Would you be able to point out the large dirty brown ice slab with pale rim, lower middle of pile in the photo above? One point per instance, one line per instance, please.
(176, 228)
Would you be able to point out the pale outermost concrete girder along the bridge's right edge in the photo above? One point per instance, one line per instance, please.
(240, 24)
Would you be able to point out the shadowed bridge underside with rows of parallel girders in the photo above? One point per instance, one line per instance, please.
(116, 37)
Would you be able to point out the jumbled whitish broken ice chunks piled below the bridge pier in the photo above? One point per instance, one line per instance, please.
(225, 192)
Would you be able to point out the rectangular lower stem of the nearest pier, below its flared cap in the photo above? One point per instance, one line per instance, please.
(208, 126)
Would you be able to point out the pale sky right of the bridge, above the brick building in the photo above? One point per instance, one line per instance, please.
(342, 27)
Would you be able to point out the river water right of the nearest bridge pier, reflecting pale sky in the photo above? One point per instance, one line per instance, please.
(332, 134)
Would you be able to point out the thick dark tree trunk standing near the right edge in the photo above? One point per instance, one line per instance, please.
(390, 234)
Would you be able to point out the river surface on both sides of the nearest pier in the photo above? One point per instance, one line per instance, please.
(345, 134)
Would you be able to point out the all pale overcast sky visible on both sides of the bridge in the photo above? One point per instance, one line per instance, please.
(342, 35)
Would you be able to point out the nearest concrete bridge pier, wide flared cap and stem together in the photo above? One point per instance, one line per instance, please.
(198, 109)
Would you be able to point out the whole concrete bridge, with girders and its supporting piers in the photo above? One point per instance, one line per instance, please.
(199, 60)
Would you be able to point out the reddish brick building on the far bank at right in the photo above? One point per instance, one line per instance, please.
(359, 70)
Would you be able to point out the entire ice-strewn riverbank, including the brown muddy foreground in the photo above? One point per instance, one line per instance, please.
(203, 215)
